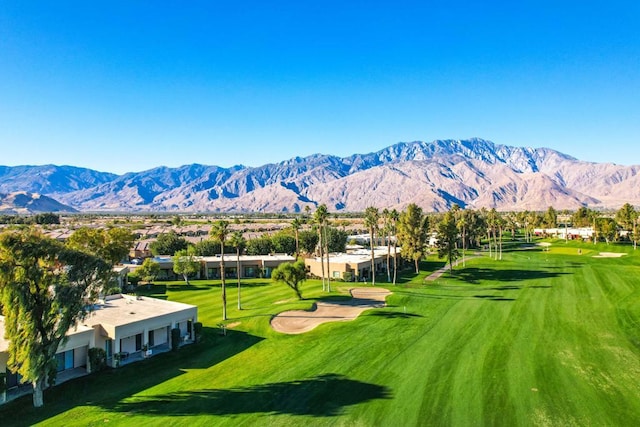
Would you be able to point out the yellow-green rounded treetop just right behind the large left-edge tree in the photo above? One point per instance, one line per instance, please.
(112, 245)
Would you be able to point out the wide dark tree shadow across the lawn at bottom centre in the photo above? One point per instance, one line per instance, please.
(321, 396)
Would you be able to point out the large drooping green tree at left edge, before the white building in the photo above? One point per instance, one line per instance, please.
(44, 287)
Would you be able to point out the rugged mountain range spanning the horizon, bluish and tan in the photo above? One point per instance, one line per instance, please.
(473, 173)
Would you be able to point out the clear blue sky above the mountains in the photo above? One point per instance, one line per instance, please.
(127, 86)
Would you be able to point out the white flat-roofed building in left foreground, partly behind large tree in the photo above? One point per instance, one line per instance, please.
(128, 328)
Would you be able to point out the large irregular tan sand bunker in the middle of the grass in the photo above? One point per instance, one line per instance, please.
(300, 321)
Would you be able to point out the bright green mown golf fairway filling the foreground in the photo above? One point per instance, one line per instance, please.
(542, 337)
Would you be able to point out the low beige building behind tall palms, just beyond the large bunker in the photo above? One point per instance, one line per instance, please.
(355, 265)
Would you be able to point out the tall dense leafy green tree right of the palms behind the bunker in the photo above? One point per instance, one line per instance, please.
(413, 227)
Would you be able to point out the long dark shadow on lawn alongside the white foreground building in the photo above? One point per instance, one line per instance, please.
(108, 388)
